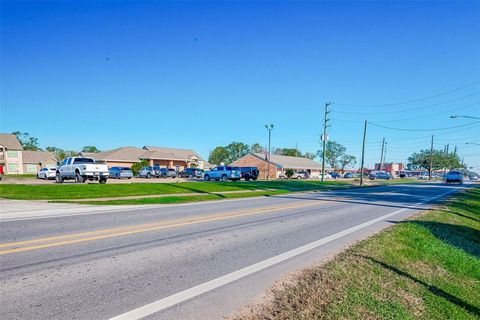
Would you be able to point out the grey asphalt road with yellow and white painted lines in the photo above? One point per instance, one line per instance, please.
(193, 261)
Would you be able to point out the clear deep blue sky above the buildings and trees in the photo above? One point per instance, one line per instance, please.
(202, 74)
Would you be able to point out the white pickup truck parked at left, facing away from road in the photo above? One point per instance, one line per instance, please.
(81, 169)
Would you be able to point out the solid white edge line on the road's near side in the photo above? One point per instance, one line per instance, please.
(182, 296)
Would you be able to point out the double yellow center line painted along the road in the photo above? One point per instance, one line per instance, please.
(61, 240)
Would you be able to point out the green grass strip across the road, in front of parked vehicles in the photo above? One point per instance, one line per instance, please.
(91, 191)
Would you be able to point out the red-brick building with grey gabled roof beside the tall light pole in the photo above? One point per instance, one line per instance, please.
(278, 164)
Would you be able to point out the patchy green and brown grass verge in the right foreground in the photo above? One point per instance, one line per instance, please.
(427, 267)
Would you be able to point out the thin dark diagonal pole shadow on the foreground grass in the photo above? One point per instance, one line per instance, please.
(433, 289)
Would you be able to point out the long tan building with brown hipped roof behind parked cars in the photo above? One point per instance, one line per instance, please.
(178, 159)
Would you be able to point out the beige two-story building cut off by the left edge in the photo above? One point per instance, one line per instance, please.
(11, 154)
